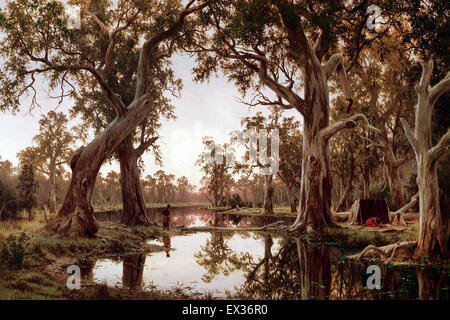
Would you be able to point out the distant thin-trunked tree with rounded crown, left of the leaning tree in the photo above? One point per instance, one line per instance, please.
(54, 146)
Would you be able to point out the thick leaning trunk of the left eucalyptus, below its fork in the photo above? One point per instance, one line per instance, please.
(75, 217)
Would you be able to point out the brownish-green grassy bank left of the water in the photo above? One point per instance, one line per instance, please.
(34, 261)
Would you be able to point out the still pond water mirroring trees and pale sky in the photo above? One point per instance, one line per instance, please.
(251, 265)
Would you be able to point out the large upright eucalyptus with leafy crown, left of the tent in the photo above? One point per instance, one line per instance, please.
(277, 47)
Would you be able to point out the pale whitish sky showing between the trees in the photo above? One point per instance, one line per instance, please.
(203, 109)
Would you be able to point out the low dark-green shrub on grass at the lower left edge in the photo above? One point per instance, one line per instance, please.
(13, 251)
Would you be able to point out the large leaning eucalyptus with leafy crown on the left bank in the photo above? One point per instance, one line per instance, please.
(39, 42)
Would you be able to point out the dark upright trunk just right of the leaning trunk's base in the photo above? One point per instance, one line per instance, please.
(134, 211)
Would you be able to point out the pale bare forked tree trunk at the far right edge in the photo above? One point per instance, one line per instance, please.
(432, 234)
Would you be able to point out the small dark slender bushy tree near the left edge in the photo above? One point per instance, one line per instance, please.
(27, 188)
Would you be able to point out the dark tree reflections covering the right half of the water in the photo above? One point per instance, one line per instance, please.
(313, 270)
